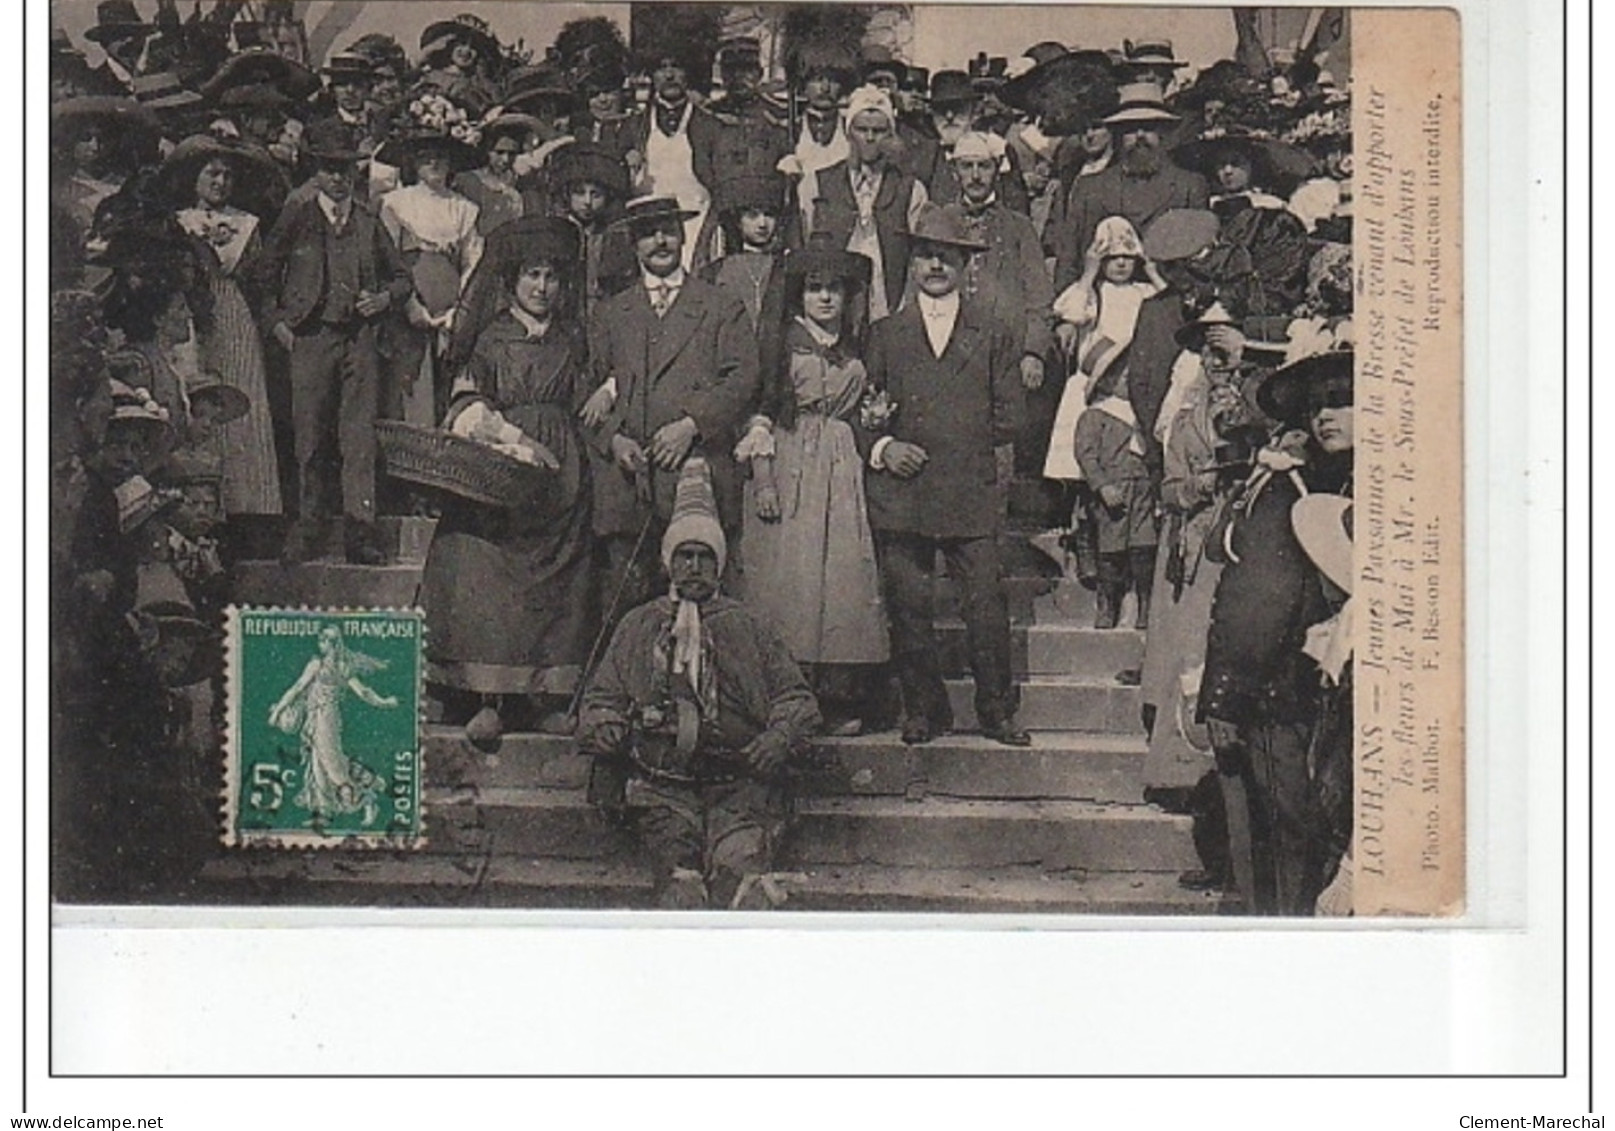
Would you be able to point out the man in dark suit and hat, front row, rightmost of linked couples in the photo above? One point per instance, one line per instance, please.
(938, 465)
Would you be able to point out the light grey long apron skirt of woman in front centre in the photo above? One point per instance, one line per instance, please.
(813, 573)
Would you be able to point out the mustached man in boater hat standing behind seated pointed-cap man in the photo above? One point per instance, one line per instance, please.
(677, 371)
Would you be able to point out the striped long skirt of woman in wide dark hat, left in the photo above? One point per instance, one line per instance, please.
(235, 351)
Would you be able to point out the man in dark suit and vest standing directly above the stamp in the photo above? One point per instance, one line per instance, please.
(332, 272)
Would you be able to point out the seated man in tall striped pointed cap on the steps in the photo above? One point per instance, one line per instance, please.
(694, 718)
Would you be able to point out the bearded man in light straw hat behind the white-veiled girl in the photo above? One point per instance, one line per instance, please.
(1141, 182)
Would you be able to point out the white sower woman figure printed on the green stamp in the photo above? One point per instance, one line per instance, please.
(313, 708)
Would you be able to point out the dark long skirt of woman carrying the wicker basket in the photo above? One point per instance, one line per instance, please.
(508, 594)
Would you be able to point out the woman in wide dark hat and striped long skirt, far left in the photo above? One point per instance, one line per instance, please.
(204, 179)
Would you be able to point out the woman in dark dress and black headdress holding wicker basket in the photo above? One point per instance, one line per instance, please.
(508, 592)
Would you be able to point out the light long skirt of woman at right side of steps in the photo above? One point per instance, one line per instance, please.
(1173, 660)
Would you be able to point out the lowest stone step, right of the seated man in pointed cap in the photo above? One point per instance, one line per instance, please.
(1002, 891)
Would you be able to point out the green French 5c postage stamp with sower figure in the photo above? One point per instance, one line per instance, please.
(324, 736)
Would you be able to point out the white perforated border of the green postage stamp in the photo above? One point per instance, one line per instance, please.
(295, 841)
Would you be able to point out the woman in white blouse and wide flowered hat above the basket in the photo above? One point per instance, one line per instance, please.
(437, 232)
